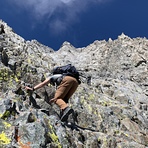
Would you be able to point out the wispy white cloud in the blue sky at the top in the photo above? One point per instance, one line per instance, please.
(60, 14)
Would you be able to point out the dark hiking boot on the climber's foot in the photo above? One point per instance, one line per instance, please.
(65, 113)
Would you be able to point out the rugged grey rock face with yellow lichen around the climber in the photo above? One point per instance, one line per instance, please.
(111, 103)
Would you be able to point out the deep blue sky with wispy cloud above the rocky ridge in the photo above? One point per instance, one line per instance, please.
(80, 22)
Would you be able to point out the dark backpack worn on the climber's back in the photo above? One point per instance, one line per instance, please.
(67, 70)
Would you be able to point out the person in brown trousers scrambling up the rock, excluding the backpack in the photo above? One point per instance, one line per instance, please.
(67, 85)
